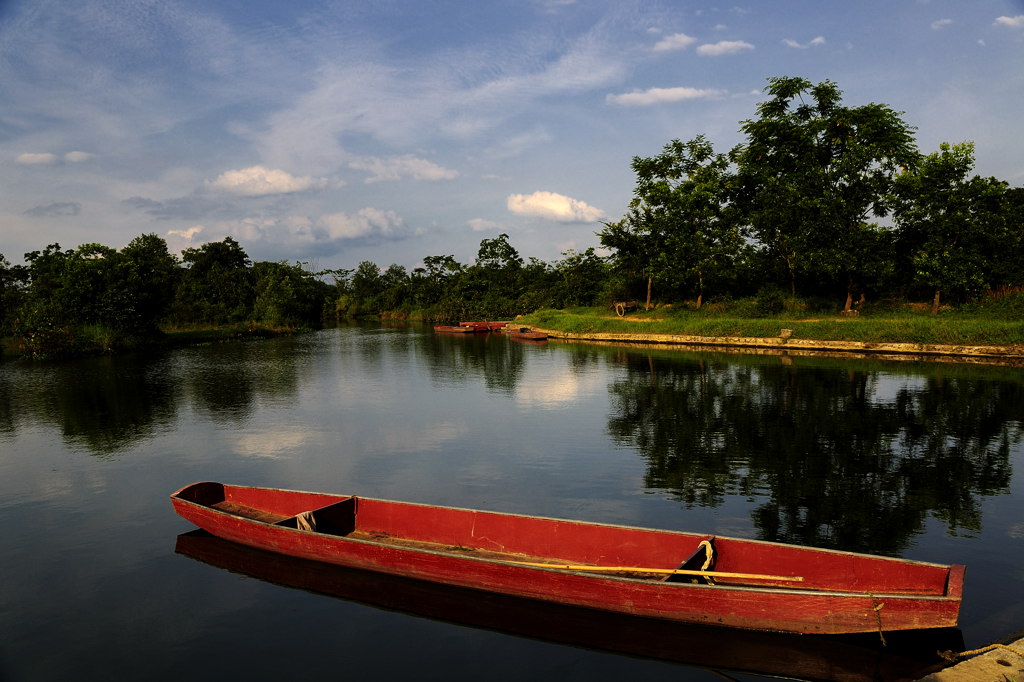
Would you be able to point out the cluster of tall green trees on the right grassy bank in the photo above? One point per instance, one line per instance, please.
(820, 198)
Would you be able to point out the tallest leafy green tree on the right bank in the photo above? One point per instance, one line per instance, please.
(814, 173)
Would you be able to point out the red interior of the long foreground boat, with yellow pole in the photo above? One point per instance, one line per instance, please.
(546, 542)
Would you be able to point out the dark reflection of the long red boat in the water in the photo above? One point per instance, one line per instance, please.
(905, 656)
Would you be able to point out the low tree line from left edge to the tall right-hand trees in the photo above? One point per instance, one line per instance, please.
(99, 300)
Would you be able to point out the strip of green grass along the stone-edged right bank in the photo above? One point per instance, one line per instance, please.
(953, 328)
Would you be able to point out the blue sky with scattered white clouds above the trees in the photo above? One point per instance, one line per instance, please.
(332, 134)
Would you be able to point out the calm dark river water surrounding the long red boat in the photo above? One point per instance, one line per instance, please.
(101, 580)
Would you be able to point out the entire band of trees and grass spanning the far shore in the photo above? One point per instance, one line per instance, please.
(827, 217)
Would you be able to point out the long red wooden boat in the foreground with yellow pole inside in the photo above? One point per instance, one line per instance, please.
(656, 574)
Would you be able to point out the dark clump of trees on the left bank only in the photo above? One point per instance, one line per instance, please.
(96, 299)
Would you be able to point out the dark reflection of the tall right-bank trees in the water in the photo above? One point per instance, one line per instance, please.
(844, 458)
